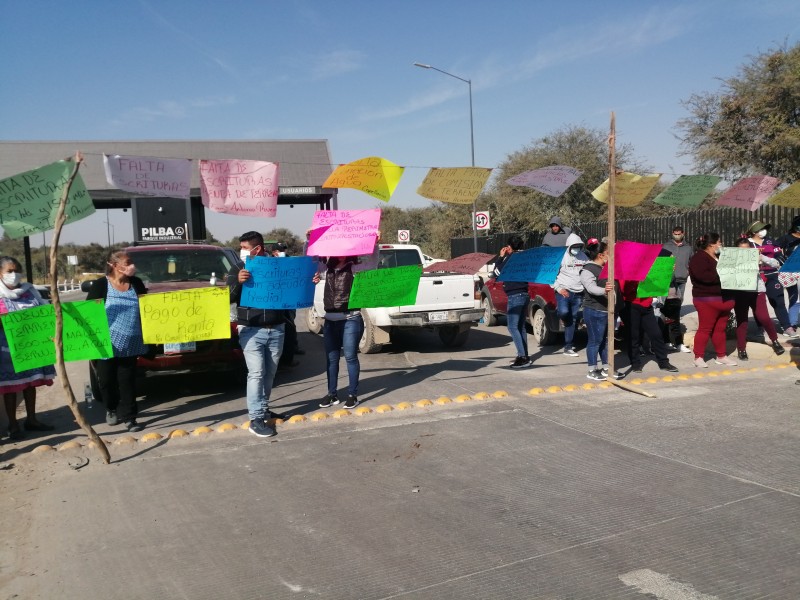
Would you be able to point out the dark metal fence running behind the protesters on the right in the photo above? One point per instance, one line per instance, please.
(730, 223)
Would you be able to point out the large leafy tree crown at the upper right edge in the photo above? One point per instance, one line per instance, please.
(752, 125)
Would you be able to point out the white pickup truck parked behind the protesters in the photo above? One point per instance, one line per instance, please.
(450, 303)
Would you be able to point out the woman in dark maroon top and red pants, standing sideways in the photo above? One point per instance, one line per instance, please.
(713, 305)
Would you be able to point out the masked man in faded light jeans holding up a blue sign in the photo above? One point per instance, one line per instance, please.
(261, 335)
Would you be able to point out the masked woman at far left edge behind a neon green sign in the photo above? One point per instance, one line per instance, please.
(19, 296)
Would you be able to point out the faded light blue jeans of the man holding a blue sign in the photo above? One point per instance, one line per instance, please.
(262, 347)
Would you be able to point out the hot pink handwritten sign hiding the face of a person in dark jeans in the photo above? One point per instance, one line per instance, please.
(344, 232)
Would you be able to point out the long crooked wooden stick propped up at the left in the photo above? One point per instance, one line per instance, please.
(61, 218)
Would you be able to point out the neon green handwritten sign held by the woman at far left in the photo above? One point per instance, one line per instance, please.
(84, 335)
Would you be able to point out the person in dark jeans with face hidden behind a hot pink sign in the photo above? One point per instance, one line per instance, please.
(343, 325)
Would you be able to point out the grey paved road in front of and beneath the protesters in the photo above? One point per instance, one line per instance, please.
(576, 493)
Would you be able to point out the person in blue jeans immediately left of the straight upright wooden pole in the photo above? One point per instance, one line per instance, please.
(595, 309)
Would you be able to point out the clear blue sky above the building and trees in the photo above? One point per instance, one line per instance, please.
(342, 71)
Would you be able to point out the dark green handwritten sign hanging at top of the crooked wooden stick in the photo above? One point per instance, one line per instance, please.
(29, 201)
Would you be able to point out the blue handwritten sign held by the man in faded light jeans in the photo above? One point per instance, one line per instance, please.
(282, 283)
